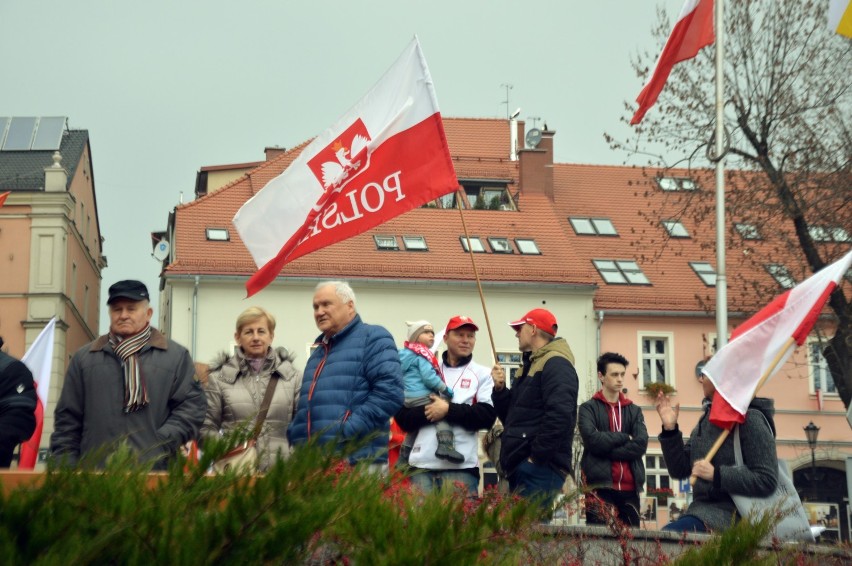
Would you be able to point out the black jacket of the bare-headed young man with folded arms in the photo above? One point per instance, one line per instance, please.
(602, 446)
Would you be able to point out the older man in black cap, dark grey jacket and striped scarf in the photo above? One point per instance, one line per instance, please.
(131, 385)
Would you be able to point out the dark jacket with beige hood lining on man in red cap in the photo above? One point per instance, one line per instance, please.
(539, 412)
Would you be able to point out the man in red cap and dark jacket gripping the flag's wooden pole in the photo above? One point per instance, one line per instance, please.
(539, 412)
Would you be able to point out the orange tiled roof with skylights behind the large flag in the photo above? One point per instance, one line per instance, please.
(628, 196)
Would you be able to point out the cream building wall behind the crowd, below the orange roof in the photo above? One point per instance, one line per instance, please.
(385, 302)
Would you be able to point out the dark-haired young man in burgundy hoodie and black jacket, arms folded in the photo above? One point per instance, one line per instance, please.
(614, 444)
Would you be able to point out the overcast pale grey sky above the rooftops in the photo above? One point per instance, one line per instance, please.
(166, 87)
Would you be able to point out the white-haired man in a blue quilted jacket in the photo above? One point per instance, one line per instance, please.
(352, 382)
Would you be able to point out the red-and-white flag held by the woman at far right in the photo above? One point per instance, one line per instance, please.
(767, 338)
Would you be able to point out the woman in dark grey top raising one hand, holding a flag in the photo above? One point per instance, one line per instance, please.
(712, 508)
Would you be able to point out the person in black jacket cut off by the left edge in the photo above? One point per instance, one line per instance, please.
(17, 405)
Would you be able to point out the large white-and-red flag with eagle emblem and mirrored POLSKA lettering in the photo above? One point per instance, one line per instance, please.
(388, 154)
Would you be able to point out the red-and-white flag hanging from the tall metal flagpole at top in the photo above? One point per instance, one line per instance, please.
(692, 32)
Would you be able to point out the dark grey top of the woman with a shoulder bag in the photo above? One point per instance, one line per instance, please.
(757, 477)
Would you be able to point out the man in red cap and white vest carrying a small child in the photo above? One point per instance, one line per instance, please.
(471, 410)
